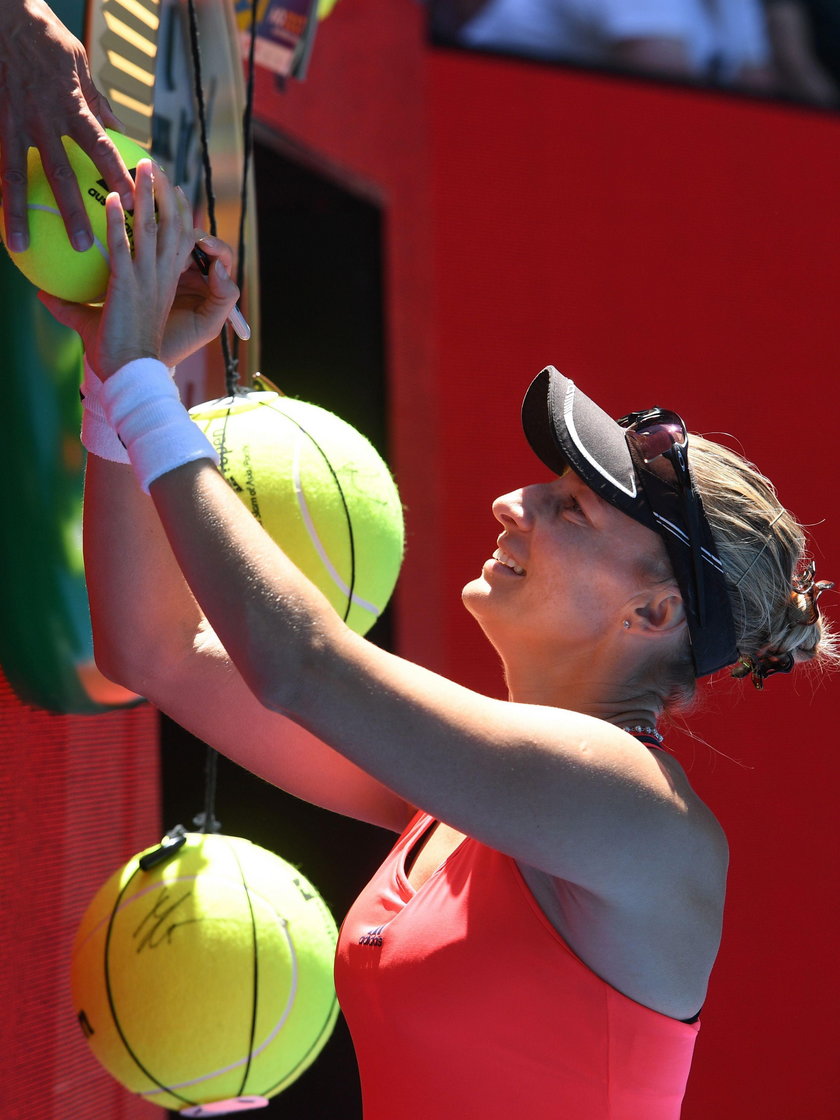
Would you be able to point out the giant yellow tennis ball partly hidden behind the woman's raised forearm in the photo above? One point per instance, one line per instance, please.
(320, 489)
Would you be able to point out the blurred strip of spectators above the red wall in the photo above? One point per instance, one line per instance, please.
(787, 50)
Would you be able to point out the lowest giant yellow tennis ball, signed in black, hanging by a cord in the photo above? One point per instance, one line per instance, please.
(208, 978)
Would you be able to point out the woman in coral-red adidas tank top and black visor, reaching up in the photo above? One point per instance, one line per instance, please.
(539, 942)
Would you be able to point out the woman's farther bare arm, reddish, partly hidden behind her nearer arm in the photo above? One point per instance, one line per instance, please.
(151, 636)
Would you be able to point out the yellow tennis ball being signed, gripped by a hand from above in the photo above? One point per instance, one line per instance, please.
(51, 262)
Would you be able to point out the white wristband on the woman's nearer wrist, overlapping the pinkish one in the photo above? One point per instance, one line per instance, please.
(142, 404)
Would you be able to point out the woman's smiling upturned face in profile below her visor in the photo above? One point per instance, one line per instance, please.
(566, 573)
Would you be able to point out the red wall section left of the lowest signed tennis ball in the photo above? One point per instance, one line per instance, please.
(80, 797)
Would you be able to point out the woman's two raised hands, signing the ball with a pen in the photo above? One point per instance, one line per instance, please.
(158, 303)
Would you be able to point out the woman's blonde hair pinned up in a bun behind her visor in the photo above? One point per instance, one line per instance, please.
(764, 553)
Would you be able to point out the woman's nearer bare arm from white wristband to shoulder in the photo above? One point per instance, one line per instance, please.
(561, 791)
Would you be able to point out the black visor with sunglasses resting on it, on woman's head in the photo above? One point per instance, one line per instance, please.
(640, 465)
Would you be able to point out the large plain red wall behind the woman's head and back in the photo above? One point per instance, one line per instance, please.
(661, 246)
